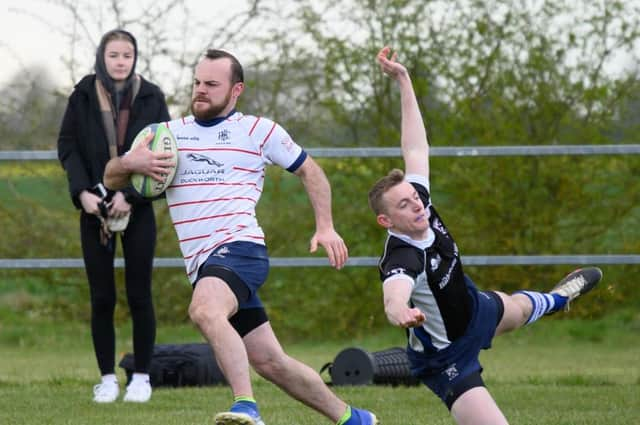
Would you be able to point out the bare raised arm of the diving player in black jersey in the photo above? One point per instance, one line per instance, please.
(415, 148)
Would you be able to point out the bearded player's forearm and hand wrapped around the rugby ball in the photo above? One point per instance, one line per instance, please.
(139, 160)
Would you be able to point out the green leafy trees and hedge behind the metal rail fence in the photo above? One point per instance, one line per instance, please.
(485, 72)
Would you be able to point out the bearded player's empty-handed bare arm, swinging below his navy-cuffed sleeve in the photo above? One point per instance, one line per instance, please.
(319, 190)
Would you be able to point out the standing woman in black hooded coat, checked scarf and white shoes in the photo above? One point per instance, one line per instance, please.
(104, 113)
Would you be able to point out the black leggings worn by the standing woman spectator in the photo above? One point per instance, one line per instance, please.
(138, 246)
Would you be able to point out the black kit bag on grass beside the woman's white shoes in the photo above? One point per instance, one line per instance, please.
(178, 365)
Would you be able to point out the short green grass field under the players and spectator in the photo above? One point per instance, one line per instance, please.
(555, 372)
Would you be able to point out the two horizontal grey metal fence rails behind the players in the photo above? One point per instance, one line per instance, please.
(481, 260)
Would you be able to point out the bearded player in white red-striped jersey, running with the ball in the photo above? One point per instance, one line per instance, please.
(221, 168)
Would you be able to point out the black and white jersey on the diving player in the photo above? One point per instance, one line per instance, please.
(435, 272)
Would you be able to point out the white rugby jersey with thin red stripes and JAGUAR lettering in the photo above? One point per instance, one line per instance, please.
(219, 180)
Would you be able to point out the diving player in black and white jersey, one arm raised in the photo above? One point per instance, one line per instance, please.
(448, 319)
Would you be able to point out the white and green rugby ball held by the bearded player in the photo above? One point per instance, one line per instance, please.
(163, 141)
